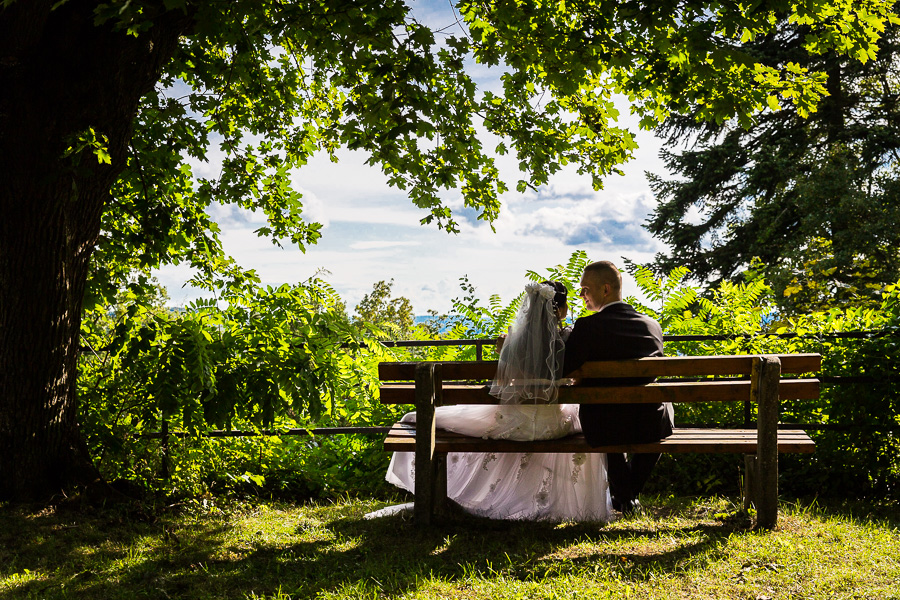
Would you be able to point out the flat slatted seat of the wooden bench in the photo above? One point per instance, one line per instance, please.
(402, 439)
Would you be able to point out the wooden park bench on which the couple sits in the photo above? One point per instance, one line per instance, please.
(752, 379)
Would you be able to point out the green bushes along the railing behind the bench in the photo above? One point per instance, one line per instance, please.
(290, 358)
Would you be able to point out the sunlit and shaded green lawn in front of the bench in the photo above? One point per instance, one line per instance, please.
(681, 548)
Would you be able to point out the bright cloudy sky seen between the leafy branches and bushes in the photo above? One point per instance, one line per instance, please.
(371, 232)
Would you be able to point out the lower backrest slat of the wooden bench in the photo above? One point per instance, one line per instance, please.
(668, 391)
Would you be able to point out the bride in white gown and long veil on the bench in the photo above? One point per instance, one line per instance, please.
(526, 486)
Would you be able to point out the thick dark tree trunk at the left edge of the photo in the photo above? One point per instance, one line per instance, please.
(61, 75)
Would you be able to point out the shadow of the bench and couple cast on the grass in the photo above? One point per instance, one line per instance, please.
(463, 547)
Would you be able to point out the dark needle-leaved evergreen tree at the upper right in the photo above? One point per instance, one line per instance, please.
(789, 186)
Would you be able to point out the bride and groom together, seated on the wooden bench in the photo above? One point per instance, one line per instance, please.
(537, 353)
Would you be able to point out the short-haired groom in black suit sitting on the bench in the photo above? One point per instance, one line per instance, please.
(617, 331)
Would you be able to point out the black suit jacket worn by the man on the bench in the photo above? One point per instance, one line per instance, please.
(617, 332)
